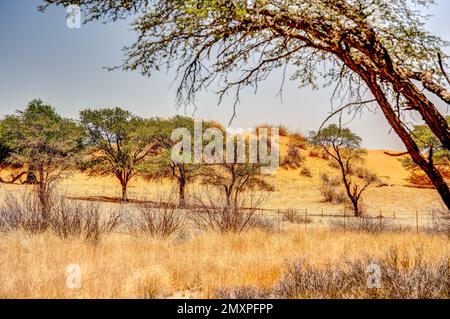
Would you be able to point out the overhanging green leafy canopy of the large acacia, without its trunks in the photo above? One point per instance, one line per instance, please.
(214, 37)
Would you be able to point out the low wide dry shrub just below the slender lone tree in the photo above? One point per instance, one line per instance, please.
(364, 224)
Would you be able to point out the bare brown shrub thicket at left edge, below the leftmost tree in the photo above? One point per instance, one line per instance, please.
(66, 220)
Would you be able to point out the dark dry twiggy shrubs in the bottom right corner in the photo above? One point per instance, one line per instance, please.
(401, 277)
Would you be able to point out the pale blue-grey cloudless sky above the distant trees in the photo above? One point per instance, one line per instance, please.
(41, 58)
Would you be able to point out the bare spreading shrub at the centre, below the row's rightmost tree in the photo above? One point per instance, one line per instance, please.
(212, 213)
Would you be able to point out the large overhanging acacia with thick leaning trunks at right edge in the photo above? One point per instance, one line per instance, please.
(366, 47)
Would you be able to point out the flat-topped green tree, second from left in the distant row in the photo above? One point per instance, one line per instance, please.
(118, 143)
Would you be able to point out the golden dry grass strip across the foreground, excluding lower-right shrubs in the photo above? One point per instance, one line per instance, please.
(123, 266)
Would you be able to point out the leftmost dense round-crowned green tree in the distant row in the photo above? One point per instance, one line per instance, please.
(42, 140)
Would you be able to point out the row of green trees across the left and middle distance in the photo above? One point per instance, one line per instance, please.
(110, 142)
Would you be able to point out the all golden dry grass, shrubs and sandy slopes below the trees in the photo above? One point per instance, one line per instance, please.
(151, 249)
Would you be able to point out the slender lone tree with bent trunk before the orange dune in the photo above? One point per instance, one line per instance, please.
(344, 147)
